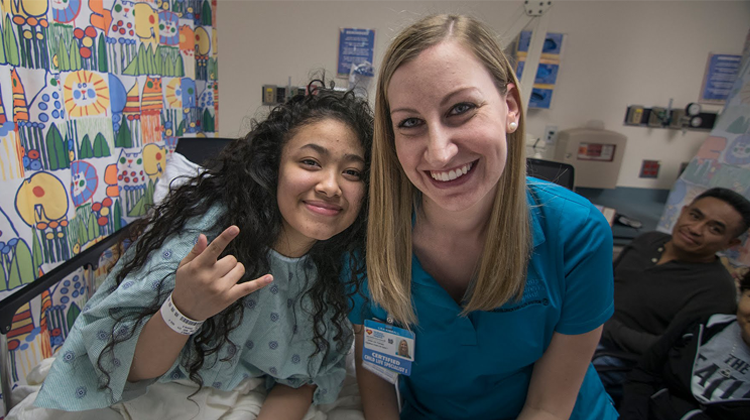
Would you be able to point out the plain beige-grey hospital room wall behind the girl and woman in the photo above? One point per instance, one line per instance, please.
(617, 53)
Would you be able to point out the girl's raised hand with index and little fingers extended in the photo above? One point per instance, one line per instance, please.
(205, 285)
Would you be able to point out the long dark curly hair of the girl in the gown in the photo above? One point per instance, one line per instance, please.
(244, 178)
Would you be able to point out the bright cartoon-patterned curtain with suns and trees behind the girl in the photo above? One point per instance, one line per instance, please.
(93, 96)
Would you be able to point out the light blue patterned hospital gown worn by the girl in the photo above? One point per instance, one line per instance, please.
(274, 340)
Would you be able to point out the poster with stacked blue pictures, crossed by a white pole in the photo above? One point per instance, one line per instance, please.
(549, 66)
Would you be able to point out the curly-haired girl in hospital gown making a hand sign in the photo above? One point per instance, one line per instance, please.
(236, 275)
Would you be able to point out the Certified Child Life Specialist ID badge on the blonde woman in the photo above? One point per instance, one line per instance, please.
(389, 347)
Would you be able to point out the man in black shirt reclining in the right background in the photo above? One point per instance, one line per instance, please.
(660, 278)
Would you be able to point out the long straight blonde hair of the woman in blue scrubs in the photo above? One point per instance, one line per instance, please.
(501, 273)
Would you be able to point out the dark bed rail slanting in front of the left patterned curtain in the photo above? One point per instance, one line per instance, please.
(87, 258)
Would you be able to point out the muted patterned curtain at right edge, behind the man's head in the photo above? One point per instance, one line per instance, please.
(722, 161)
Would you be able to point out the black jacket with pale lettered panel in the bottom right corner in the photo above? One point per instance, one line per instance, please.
(697, 370)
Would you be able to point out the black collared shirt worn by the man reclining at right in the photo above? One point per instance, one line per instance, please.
(648, 297)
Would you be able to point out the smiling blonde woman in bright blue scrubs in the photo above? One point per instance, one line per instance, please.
(504, 280)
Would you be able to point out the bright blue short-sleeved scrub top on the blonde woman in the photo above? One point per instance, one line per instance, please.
(479, 367)
